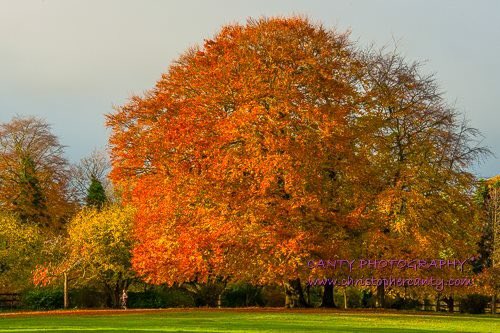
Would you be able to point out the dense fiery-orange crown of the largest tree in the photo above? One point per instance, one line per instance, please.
(236, 158)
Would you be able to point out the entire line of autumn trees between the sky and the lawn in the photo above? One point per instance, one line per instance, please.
(274, 143)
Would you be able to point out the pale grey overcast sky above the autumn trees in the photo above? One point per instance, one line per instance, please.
(71, 61)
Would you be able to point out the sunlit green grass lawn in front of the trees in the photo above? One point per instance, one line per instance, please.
(248, 321)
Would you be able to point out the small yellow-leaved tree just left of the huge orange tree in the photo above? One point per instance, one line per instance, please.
(96, 252)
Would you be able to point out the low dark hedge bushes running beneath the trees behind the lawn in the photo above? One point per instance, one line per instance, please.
(239, 295)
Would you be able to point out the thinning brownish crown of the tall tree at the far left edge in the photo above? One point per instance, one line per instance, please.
(33, 172)
